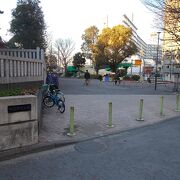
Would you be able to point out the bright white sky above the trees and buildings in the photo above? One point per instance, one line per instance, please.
(69, 18)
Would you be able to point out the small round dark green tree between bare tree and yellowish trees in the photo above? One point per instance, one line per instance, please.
(79, 60)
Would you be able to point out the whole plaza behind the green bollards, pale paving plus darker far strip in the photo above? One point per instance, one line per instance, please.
(91, 108)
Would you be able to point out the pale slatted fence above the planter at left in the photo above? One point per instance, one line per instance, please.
(22, 65)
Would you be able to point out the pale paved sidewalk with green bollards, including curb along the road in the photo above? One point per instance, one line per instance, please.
(91, 119)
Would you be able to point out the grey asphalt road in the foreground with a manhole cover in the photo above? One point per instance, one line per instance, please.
(148, 153)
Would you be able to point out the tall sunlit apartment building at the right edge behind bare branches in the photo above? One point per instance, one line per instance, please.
(171, 46)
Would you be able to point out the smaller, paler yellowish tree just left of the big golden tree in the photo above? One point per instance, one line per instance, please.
(89, 37)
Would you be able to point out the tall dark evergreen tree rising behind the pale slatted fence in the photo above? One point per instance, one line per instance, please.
(28, 25)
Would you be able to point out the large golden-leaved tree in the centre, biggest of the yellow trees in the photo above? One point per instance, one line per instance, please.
(117, 44)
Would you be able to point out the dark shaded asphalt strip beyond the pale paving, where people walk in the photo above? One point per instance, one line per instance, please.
(77, 87)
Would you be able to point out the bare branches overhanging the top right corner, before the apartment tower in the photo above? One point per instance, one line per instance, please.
(167, 17)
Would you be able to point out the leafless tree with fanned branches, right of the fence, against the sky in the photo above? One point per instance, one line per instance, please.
(65, 47)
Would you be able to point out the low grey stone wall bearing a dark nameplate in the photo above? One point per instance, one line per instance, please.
(18, 121)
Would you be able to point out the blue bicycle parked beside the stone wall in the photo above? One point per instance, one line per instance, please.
(52, 99)
